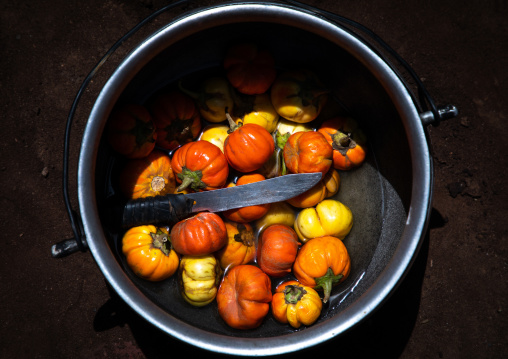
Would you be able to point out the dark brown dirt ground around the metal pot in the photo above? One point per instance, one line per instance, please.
(453, 303)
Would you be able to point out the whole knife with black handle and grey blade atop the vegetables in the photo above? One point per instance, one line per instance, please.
(172, 208)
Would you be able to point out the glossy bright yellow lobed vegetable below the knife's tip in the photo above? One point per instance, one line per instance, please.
(329, 218)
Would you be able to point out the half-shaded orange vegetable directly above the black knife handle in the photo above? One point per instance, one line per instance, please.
(148, 176)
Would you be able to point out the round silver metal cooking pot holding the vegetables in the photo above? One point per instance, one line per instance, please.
(389, 195)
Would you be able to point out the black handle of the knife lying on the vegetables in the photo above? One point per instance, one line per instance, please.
(166, 210)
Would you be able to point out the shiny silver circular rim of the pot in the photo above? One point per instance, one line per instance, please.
(417, 215)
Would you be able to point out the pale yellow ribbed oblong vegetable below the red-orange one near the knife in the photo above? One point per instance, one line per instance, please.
(199, 278)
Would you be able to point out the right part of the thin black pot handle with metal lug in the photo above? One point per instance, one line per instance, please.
(430, 112)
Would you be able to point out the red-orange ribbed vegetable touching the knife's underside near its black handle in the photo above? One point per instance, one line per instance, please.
(201, 234)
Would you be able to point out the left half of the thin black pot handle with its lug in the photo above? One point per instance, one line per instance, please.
(78, 242)
